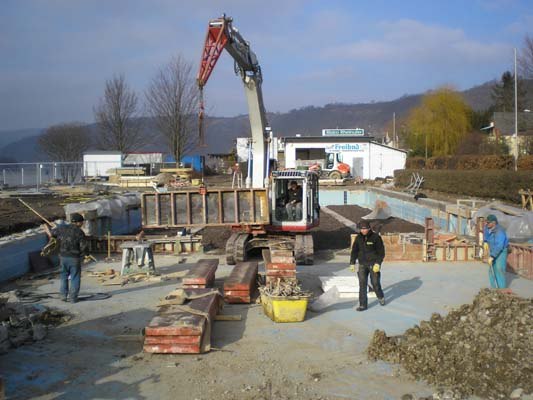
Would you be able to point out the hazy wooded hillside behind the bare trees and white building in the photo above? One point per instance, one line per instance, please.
(375, 118)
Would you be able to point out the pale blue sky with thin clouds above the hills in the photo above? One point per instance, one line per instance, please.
(55, 55)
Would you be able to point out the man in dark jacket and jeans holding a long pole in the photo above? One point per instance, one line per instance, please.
(73, 246)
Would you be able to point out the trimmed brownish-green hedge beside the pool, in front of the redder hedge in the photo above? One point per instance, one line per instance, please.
(498, 184)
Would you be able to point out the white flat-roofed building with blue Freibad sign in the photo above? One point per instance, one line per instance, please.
(367, 159)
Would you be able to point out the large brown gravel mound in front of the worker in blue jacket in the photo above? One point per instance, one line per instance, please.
(482, 349)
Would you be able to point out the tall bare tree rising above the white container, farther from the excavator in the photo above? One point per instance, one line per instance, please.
(117, 117)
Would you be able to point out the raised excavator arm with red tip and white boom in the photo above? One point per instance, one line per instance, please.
(222, 35)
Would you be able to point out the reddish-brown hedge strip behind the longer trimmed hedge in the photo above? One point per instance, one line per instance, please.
(470, 162)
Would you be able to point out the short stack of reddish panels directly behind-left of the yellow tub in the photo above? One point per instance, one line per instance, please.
(241, 284)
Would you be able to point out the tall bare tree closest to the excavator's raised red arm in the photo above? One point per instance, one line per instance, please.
(172, 99)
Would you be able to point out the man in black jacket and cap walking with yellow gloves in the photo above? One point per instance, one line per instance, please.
(368, 248)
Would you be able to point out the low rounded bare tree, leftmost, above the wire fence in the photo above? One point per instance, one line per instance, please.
(65, 142)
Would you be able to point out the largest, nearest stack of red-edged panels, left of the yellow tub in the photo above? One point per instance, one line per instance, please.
(184, 329)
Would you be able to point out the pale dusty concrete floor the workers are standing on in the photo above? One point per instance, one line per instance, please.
(322, 357)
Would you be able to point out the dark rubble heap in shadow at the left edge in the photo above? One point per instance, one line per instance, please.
(20, 323)
